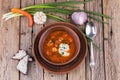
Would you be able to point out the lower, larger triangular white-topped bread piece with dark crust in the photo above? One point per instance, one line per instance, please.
(22, 65)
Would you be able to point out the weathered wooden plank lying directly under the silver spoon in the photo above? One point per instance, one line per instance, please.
(98, 72)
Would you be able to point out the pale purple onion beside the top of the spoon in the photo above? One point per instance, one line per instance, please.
(79, 17)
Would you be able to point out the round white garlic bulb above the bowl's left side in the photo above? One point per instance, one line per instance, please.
(40, 18)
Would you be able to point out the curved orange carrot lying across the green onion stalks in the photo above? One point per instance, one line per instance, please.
(16, 10)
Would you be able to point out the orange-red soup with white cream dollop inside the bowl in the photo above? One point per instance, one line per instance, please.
(59, 46)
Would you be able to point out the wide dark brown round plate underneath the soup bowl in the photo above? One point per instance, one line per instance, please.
(61, 68)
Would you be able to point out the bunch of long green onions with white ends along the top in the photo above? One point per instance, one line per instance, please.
(57, 7)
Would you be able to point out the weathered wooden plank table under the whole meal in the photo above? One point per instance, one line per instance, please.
(15, 35)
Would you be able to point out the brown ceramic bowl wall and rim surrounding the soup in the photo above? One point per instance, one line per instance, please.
(57, 27)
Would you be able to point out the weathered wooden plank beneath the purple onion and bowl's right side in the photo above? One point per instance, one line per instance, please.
(79, 72)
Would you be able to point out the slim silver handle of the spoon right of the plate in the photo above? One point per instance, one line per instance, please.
(92, 62)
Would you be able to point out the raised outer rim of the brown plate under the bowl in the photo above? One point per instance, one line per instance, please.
(60, 72)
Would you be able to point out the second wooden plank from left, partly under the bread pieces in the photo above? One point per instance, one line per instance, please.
(27, 36)
